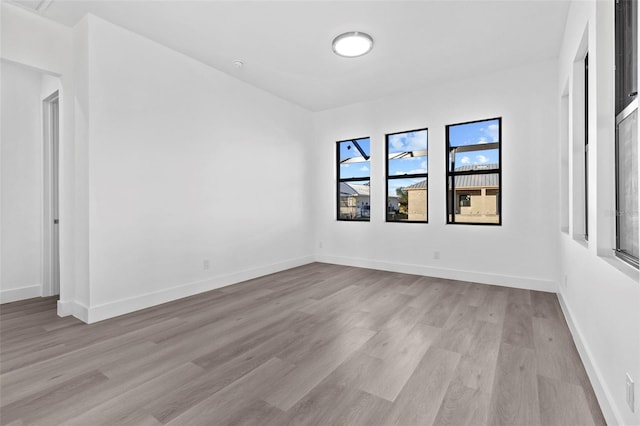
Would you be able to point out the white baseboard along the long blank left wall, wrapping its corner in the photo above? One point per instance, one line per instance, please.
(132, 304)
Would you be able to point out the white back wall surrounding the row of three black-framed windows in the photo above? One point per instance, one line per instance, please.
(519, 252)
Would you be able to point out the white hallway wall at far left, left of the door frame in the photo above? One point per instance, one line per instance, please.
(21, 183)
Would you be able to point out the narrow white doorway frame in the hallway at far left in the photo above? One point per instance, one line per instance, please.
(51, 133)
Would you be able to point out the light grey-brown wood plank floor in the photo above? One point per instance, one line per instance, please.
(319, 344)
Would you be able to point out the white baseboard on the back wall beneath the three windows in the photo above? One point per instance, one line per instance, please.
(526, 283)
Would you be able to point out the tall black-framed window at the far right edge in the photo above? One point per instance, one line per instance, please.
(626, 28)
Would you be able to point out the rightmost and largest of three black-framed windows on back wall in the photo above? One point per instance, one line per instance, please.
(474, 172)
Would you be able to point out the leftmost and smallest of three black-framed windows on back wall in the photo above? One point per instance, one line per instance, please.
(353, 157)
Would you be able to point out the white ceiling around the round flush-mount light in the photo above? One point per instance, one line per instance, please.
(286, 45)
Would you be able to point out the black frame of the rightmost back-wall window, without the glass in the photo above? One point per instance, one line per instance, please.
(450, 201)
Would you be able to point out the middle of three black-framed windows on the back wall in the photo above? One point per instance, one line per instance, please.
(407, 178)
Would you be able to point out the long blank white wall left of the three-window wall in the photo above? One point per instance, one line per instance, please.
(186, 164)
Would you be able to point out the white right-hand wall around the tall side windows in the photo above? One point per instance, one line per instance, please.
(601, 297)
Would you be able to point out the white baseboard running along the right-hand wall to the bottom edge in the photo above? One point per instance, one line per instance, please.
(609, 410)
